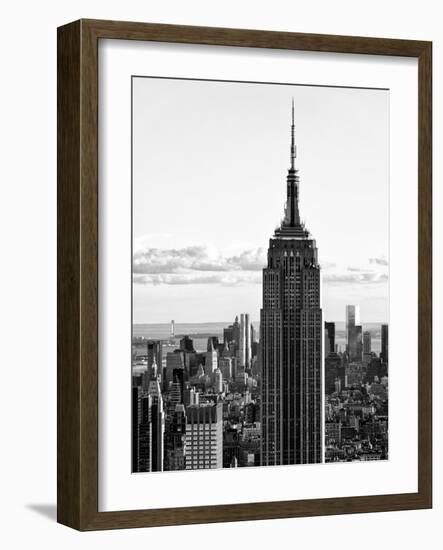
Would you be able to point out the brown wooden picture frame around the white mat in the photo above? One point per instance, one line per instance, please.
(78, 274)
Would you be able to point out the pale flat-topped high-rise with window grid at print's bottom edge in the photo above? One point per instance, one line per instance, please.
(204, 436)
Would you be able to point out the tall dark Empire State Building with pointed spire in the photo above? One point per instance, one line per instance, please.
(291, 338)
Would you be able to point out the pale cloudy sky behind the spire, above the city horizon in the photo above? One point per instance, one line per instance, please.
(210, 161)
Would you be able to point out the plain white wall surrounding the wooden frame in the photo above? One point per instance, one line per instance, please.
(28, 275)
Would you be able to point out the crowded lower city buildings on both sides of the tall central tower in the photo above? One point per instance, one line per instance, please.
(201, 409)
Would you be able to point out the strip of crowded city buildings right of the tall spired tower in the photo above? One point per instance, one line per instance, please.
(356, 394)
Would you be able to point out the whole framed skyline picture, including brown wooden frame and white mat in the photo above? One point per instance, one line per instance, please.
(244, 275)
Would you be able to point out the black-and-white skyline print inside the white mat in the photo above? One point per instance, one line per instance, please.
(260, 292)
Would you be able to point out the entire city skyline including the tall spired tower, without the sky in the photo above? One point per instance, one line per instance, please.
(285, 394)
